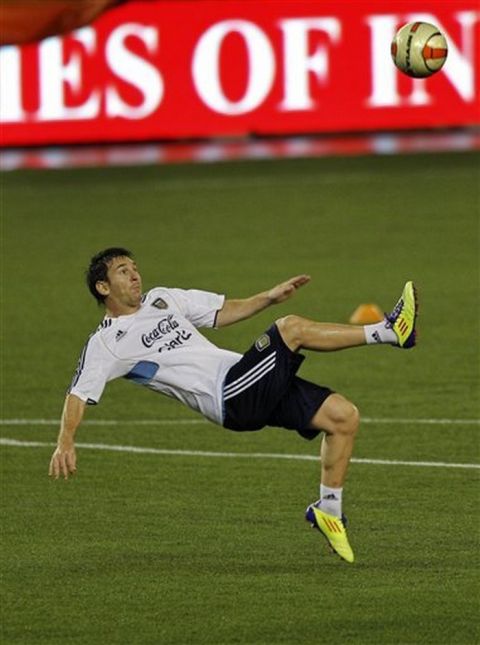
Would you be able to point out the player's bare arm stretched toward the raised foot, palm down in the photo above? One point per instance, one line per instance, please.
(235, 310)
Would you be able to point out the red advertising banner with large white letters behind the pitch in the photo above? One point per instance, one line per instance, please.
(202, 68)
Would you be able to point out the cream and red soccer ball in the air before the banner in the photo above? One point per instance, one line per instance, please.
(419, 49)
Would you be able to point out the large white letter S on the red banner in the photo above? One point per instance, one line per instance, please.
(134, 70)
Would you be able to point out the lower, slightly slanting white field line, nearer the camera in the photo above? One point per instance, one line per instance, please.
(229, 455)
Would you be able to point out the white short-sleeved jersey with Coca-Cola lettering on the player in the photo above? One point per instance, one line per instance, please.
(159, 347)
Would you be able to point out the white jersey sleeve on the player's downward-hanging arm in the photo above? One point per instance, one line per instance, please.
(90, 376)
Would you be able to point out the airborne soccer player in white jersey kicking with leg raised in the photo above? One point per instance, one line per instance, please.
(152, 339)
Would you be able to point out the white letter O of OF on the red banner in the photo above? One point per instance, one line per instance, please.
(206, 67)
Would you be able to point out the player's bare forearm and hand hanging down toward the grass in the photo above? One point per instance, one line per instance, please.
(64, 460)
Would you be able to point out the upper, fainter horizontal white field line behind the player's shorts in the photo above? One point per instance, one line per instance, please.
(201, 421)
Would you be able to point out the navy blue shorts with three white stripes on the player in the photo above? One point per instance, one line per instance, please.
(262, 389)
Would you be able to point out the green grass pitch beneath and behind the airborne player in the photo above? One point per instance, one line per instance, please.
(185, 549)
